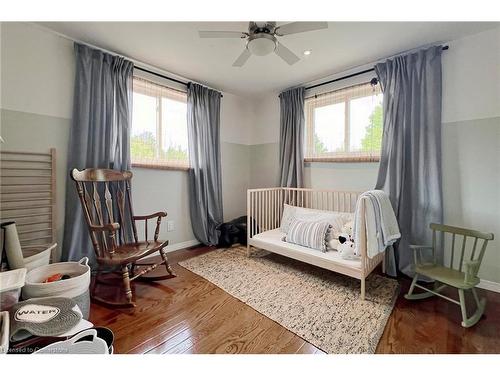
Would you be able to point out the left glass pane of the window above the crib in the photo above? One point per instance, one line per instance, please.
(329, 128)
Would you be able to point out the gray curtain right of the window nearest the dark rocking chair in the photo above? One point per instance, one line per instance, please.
(205, 185)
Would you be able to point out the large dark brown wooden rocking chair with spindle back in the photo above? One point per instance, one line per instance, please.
(112, 228)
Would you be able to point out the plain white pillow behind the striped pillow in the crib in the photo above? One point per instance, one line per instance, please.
(334, 218)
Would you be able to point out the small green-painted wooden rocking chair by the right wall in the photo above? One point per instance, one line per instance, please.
(453, 275)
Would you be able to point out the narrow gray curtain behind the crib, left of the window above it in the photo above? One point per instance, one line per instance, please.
(292, 138)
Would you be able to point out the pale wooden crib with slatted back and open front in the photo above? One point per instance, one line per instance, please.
(264, 211)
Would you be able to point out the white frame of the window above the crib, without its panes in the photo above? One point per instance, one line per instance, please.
(344, 95)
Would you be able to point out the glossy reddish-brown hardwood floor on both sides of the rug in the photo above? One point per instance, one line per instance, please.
(188, 314)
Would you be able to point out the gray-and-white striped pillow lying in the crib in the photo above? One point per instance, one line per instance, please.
(309, 234)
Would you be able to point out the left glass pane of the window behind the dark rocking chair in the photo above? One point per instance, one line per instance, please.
(143, 140)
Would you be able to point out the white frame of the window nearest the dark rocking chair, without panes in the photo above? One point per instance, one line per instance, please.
(158, 163)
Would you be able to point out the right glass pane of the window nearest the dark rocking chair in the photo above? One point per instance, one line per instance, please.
(174, 130)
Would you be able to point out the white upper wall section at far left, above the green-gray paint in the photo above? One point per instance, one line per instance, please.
(37, 71)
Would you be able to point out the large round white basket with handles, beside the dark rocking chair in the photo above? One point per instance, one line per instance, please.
(76, 287)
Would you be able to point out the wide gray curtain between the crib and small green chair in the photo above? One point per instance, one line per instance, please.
(410, 166)
